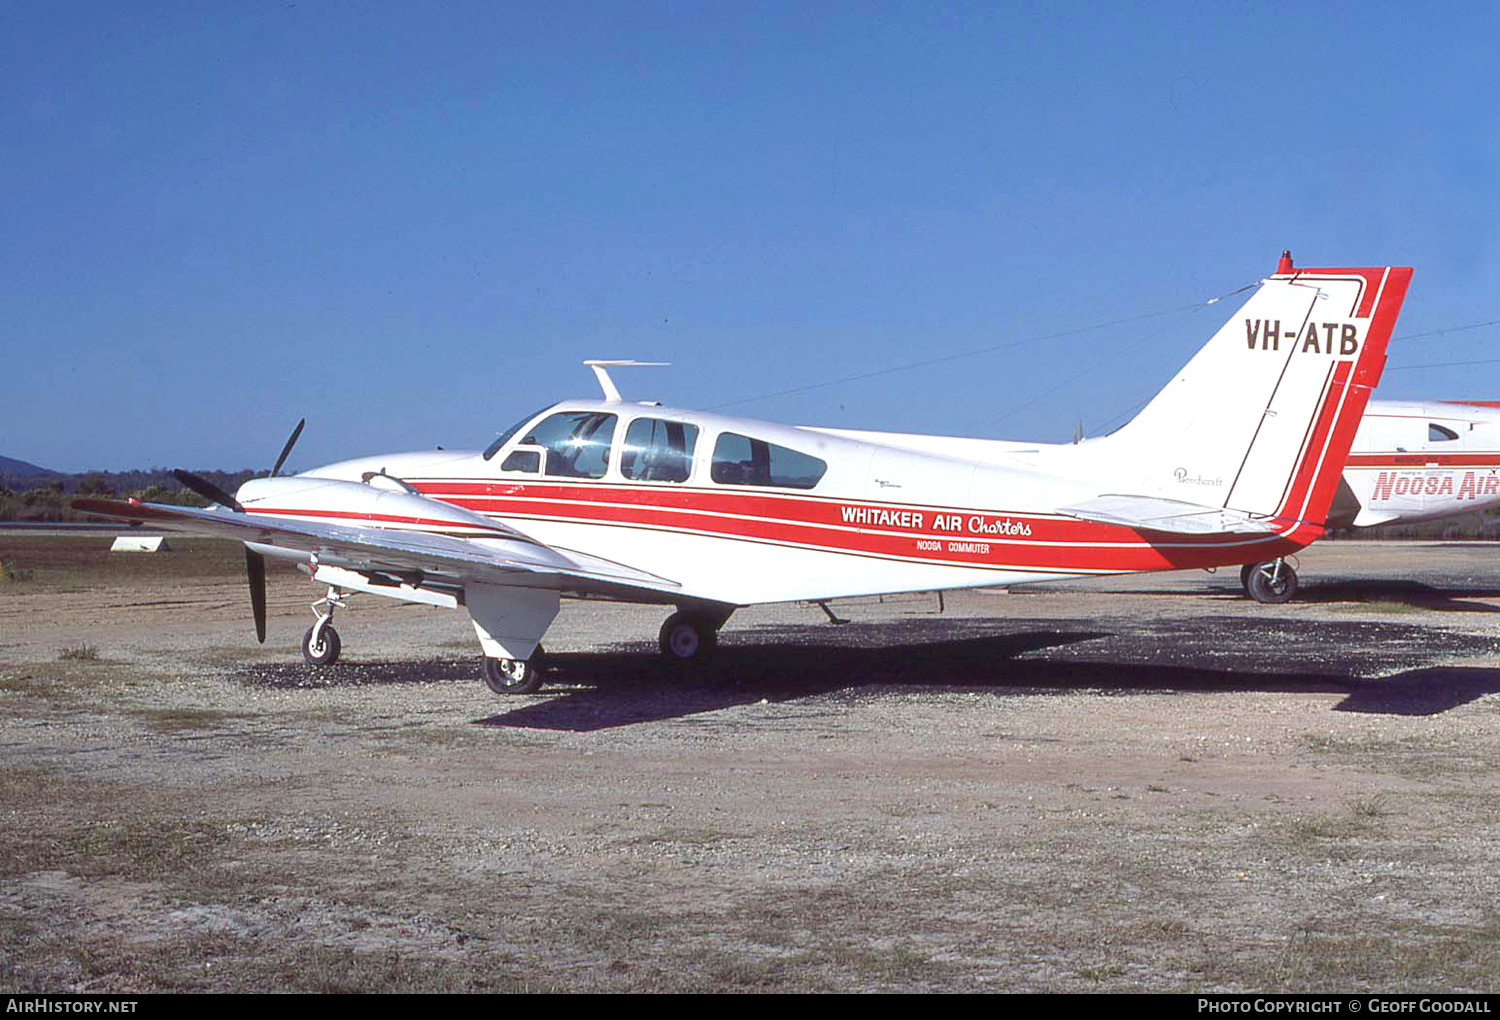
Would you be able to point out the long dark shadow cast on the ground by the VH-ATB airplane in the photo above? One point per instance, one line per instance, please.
(602, 691)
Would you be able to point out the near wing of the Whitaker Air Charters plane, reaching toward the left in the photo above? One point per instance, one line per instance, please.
(509, 559)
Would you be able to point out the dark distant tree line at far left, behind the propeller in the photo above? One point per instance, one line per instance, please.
(52, 497)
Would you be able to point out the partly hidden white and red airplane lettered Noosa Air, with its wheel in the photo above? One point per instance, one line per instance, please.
(1409, 464)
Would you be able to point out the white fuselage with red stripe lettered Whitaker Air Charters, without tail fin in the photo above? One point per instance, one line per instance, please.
(740, 511)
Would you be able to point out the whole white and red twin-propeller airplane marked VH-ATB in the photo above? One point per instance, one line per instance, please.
(1237, 460)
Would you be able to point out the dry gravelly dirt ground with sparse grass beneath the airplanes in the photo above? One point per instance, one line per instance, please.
(1139, 784)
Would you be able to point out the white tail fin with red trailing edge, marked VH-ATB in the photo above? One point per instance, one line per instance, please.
(1262, 419)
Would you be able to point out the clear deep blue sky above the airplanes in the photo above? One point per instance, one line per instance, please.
(412, 223)
